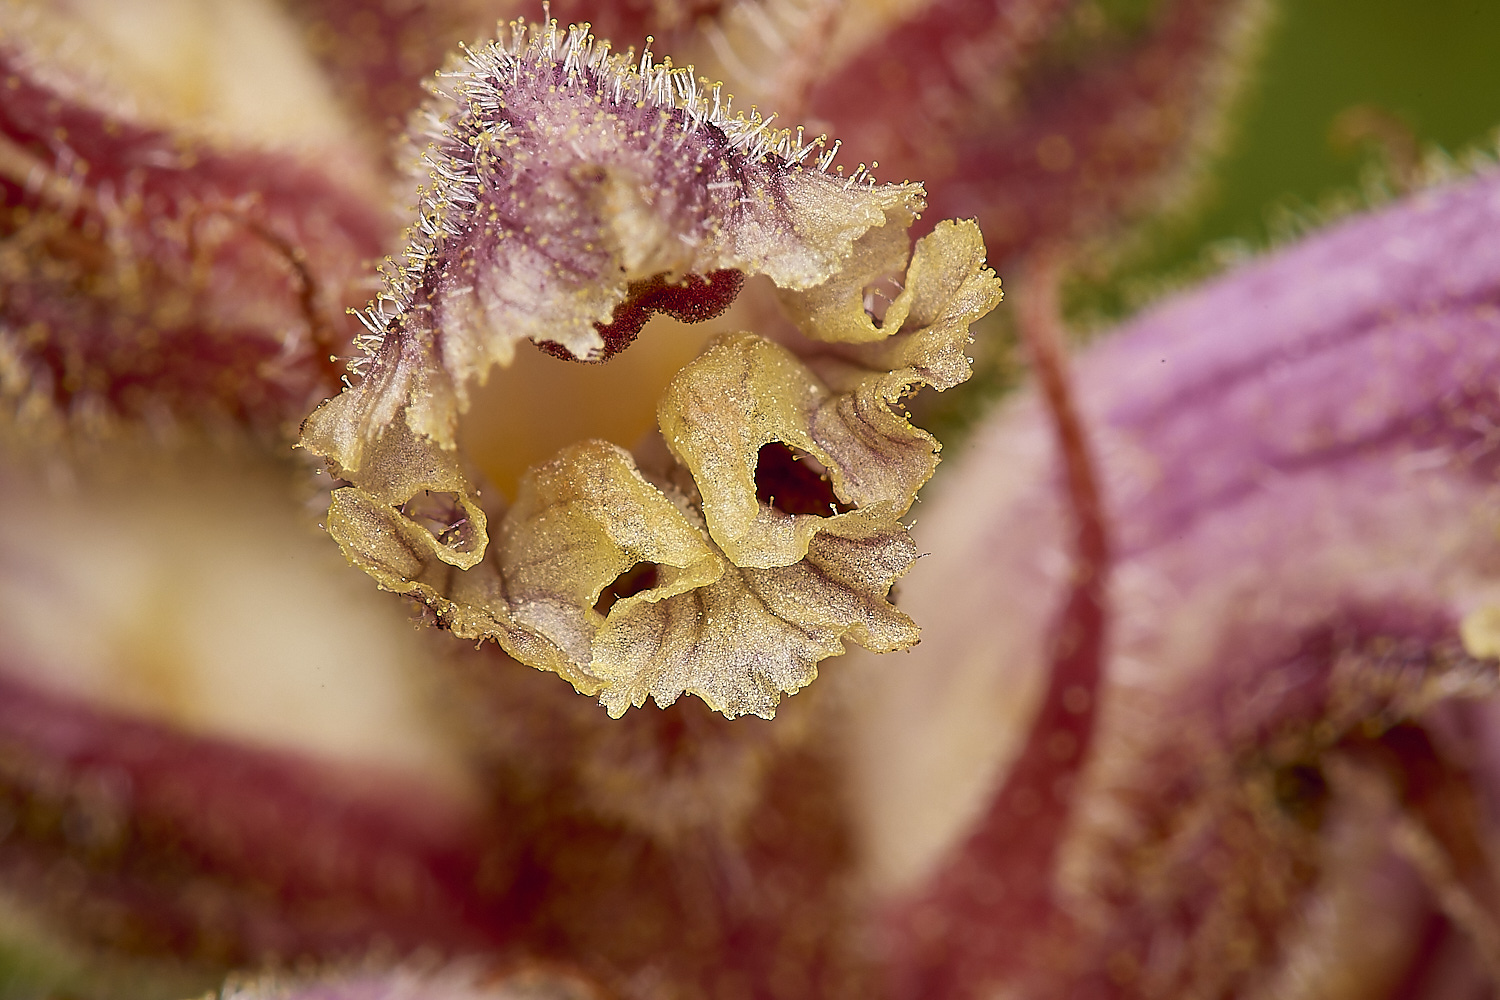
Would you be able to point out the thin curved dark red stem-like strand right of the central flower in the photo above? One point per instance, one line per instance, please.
(991, 906)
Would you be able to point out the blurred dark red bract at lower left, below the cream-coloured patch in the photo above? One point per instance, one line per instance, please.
(146, 840)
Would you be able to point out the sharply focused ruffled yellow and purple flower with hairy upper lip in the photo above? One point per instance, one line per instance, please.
(563, 182)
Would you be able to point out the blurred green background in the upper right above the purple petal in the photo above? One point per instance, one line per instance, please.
(1430, 67)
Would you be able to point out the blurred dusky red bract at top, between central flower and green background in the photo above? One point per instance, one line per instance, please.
(1033, 149)
